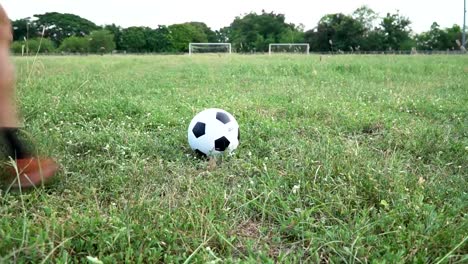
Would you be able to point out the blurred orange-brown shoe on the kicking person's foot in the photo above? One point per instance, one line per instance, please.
(32, 172)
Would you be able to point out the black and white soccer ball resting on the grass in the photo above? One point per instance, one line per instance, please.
(213, 132)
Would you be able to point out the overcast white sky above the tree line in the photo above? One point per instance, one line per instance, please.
(220, 13)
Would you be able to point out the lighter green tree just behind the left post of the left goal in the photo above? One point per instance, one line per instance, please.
(183, 34)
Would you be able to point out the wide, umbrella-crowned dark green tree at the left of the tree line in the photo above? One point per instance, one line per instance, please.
(60, 26)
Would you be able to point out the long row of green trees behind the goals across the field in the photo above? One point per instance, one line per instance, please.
(363, 30)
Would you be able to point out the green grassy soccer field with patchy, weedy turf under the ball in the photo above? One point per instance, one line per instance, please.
(343, 159)
